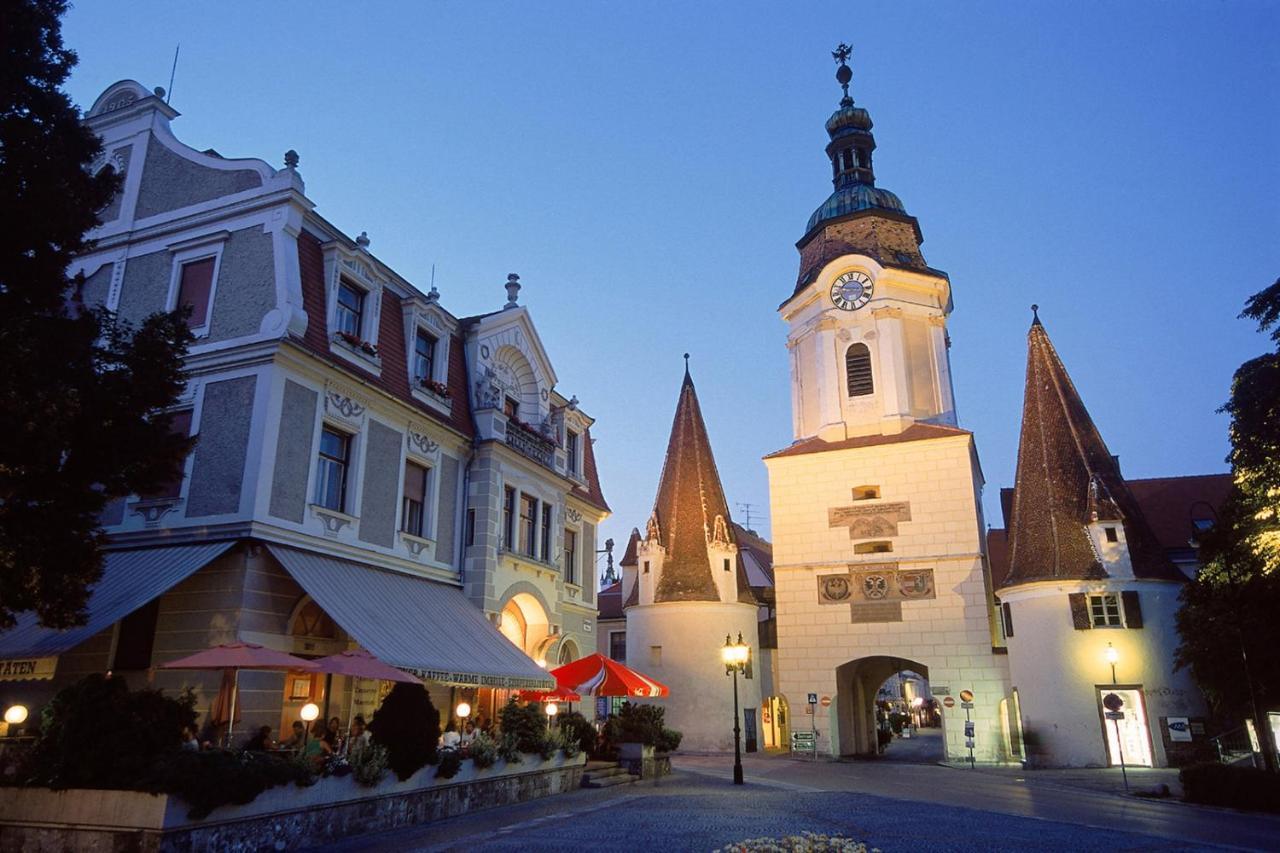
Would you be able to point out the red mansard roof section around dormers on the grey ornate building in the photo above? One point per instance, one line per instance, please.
(391, 345)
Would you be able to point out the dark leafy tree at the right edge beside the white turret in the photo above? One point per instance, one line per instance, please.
(1228, 622)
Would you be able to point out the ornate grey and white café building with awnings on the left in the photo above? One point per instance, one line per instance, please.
(371, 469)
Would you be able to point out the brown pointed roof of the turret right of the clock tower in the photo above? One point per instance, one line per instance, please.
(1067, 478)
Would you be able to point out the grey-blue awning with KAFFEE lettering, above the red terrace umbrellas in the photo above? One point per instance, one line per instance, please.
(419, 626)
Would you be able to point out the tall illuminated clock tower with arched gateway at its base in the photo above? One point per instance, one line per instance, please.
(879, 539)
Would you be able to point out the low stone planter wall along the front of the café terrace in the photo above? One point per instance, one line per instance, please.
(284, 818)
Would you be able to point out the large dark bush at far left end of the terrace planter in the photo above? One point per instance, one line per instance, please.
(100, 735)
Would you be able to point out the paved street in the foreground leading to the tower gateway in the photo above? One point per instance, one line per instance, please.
(890, 806)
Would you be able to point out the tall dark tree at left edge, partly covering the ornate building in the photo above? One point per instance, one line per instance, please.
(83, 396)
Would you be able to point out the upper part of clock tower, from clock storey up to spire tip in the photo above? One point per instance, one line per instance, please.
(867, 320)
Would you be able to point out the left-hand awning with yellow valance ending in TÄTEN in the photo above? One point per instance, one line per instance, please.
(130, 581)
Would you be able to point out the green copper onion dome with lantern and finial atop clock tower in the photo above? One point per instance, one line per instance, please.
(851, 153)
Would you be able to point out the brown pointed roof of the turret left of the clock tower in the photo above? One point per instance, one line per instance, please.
(689, 499)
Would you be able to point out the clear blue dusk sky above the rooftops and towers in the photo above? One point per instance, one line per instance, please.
(648, 168)
